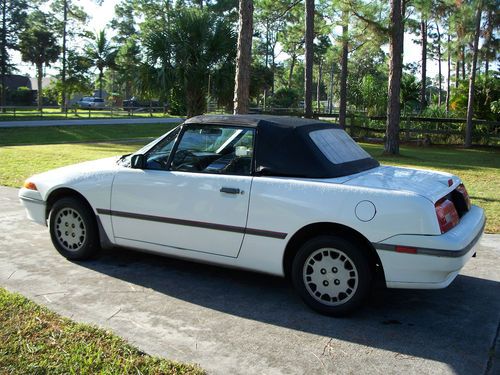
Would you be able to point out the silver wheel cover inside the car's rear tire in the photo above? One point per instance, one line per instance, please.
(330, 276)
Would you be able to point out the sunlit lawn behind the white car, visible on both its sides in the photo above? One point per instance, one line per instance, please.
(478, 168)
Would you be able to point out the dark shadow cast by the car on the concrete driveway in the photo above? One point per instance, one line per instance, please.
(453, 326)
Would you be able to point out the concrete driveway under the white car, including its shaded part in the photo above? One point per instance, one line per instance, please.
(234, 322)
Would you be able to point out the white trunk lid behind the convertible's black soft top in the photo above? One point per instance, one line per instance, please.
(429, 184)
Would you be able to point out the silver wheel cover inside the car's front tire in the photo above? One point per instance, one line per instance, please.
(70, 229)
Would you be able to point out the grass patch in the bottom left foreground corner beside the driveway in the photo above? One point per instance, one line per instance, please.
(34, 340)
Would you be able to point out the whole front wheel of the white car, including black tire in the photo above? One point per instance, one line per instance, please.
(73, 229)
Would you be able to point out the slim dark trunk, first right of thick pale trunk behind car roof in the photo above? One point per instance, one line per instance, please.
(309, 38)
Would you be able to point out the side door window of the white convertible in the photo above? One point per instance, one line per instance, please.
(213, 149)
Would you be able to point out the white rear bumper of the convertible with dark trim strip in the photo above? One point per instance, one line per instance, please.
(438, 259)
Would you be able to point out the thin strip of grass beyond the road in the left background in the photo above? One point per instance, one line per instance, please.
(55, 114)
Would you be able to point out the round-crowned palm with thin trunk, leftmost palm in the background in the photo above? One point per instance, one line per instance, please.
(38, 45)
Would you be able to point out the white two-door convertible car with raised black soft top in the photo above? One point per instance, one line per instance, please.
(286, 196)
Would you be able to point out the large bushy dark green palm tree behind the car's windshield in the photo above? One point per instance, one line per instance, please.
(197, 43)
